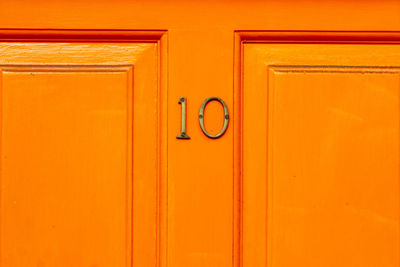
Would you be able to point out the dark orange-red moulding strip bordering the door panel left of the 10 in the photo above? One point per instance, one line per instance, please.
(129, 36)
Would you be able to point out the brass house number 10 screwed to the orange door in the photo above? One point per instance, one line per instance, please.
(183, 103)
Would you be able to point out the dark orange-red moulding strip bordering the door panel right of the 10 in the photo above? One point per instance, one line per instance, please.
(242, 37)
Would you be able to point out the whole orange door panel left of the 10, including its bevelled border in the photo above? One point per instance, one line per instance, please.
(78, 154)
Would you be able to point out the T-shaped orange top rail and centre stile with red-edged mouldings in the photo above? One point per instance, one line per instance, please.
(203, 192)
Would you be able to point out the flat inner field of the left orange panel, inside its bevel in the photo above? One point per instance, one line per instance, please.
(66, 168)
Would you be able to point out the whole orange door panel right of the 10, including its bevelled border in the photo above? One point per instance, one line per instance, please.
(320, 155)
